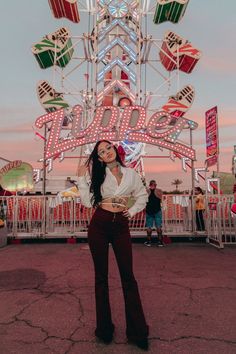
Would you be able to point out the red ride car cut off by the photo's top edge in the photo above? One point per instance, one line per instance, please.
(65, 8)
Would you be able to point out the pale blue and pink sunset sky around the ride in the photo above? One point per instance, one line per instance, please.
(210, 25)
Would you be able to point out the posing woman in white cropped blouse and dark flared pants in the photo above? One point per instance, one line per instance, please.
(111, 186)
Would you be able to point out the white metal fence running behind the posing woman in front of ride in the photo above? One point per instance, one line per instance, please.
(45, 217)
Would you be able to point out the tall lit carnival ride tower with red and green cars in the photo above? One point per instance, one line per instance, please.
(117, 58)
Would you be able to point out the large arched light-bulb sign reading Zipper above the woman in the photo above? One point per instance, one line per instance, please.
(109, 123)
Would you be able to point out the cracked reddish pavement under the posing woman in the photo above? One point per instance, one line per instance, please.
(47, 299)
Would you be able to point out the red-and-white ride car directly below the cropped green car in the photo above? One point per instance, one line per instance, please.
(178, 53)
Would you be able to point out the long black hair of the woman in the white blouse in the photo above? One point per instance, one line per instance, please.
(98, 172)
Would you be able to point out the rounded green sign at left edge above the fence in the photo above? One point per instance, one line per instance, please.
(17, 176)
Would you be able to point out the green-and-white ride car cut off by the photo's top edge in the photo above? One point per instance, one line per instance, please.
(170, 10)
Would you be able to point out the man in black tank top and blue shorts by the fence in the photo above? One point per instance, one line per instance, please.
(154, 214)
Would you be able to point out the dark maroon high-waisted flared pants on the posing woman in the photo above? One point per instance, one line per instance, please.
(107, 227)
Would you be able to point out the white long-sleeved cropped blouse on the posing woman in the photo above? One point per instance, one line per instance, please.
(130, 185)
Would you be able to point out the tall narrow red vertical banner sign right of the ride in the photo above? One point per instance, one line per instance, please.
(212, 148)
